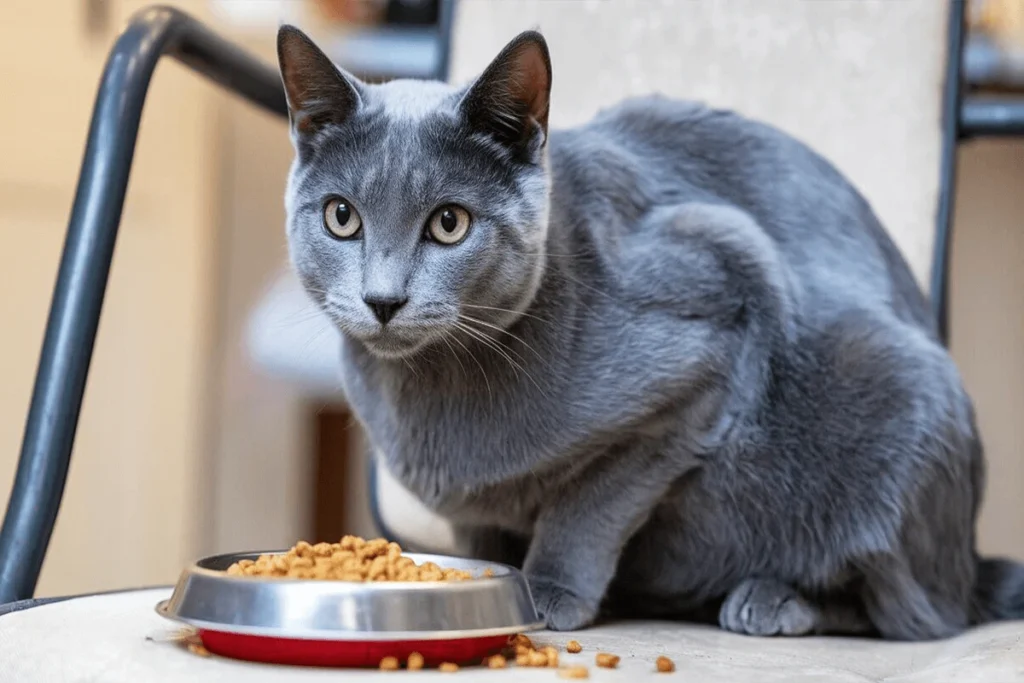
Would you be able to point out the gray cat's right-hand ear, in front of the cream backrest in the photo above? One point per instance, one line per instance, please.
(510, 101)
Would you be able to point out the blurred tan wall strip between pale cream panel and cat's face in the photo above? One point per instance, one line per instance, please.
(262, 446)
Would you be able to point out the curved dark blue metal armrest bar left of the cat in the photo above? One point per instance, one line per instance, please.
(78, 297)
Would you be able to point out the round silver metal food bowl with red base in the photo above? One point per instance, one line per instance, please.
(352, 624)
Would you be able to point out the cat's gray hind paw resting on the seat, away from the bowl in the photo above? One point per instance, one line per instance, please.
(767, 608)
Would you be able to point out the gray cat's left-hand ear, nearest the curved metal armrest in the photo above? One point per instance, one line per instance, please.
(318, 93)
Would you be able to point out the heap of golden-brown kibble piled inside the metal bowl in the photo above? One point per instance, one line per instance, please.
(353, 560)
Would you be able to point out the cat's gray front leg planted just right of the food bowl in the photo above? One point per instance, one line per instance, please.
(580, 535)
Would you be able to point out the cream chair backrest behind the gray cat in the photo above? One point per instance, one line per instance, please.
(861, 82)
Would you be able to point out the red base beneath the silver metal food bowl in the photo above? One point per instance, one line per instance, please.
(349, 654)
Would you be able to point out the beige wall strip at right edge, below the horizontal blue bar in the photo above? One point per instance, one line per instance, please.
(988, 322)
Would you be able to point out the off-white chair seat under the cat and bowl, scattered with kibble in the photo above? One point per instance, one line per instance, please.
(105, 638)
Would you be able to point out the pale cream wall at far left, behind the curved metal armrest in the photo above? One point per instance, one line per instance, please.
(139, 452)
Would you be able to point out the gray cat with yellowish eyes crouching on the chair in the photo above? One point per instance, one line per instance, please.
(668, 362)
